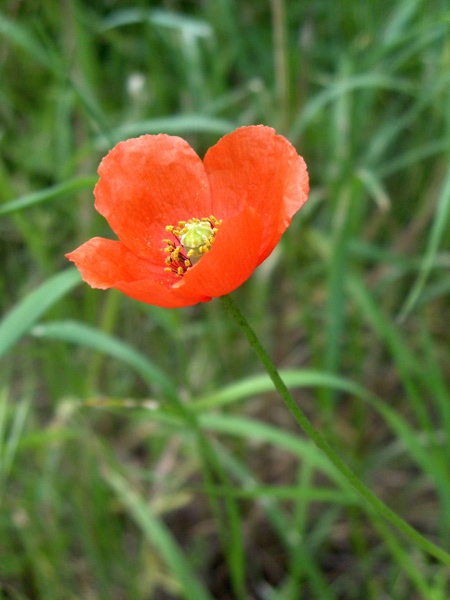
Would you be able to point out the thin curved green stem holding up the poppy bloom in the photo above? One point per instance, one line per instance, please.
(373, 501)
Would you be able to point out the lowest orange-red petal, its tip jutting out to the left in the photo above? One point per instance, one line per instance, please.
(109, 264)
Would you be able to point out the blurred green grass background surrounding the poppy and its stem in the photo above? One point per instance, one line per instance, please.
(143, 453)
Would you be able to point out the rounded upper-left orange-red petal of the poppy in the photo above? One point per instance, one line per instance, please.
(147, 183)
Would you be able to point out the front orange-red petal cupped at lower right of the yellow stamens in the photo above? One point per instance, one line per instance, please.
(232, 259)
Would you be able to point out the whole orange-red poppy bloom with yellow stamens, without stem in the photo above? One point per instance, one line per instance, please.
(190, 230)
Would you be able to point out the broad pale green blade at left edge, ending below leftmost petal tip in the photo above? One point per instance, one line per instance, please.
(29, 310)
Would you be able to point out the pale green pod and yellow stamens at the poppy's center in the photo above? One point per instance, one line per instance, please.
(193, 239)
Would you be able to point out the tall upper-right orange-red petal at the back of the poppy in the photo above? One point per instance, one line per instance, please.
(253, 165)
